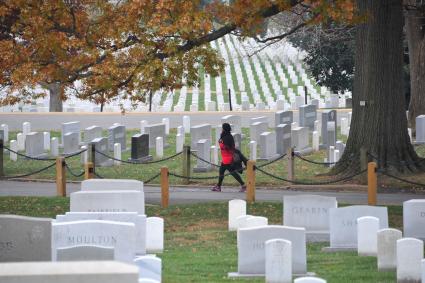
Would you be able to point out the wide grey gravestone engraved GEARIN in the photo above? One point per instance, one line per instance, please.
(310, 212)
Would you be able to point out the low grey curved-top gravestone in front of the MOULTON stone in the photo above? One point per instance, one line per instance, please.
(88, 252)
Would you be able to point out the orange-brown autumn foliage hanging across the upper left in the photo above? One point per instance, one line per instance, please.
(105, 50)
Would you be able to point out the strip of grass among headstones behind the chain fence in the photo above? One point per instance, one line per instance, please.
(304, 171)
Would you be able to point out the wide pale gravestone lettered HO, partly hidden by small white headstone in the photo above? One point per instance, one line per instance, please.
(251, 249)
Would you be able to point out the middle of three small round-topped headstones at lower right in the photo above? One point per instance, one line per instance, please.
(387, 249)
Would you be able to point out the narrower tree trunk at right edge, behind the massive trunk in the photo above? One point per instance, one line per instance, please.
(415, 27)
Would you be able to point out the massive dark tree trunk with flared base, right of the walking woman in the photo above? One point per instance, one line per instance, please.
(381, 125)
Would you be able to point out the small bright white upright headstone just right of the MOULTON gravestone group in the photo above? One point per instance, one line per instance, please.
(155, 235)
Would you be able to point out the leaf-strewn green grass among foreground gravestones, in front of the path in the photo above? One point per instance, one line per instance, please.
(198, 247)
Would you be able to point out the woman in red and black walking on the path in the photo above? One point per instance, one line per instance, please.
(227, 148)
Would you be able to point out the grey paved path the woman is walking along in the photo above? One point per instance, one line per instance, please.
(187, 195)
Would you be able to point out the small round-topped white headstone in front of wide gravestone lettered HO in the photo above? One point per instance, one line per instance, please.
(278, 261)
